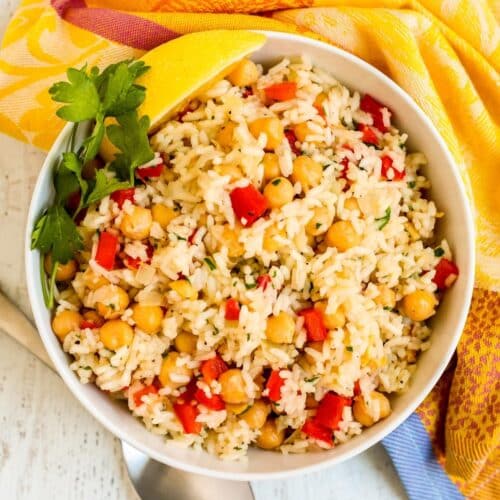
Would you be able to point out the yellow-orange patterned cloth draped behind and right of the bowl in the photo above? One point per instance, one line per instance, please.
(444, 53)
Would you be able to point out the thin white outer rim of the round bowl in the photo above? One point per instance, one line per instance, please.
(75, 385)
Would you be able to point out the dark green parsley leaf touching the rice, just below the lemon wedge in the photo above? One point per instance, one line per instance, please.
(131, 138)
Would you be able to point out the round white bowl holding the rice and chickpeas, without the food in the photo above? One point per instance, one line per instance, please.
(447, 324)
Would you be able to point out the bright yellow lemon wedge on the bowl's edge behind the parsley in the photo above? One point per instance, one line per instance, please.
(183, 68)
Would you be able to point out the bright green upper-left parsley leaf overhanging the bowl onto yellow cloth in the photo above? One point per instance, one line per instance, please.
(80, 93)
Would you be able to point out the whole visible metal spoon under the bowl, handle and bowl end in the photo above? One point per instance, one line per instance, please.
(151, 479)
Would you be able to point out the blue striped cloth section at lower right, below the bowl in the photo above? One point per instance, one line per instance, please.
(423, 478)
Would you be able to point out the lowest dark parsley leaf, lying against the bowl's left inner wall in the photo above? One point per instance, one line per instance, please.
(56, 232)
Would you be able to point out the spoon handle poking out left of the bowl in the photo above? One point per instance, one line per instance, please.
(16, 324)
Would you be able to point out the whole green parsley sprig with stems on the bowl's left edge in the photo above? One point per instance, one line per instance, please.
(109, 100)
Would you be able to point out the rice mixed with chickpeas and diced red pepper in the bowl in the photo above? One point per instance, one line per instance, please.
(269, 280)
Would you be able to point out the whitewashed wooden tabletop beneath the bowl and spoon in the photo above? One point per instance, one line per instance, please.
(50, 447)
